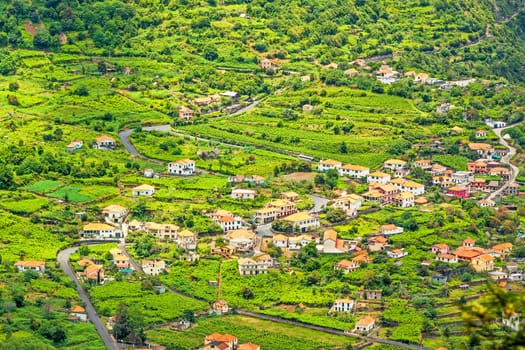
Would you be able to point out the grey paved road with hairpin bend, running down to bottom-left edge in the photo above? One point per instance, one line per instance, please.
(63, 260)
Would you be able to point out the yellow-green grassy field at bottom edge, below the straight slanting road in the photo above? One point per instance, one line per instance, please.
(267, 334)
